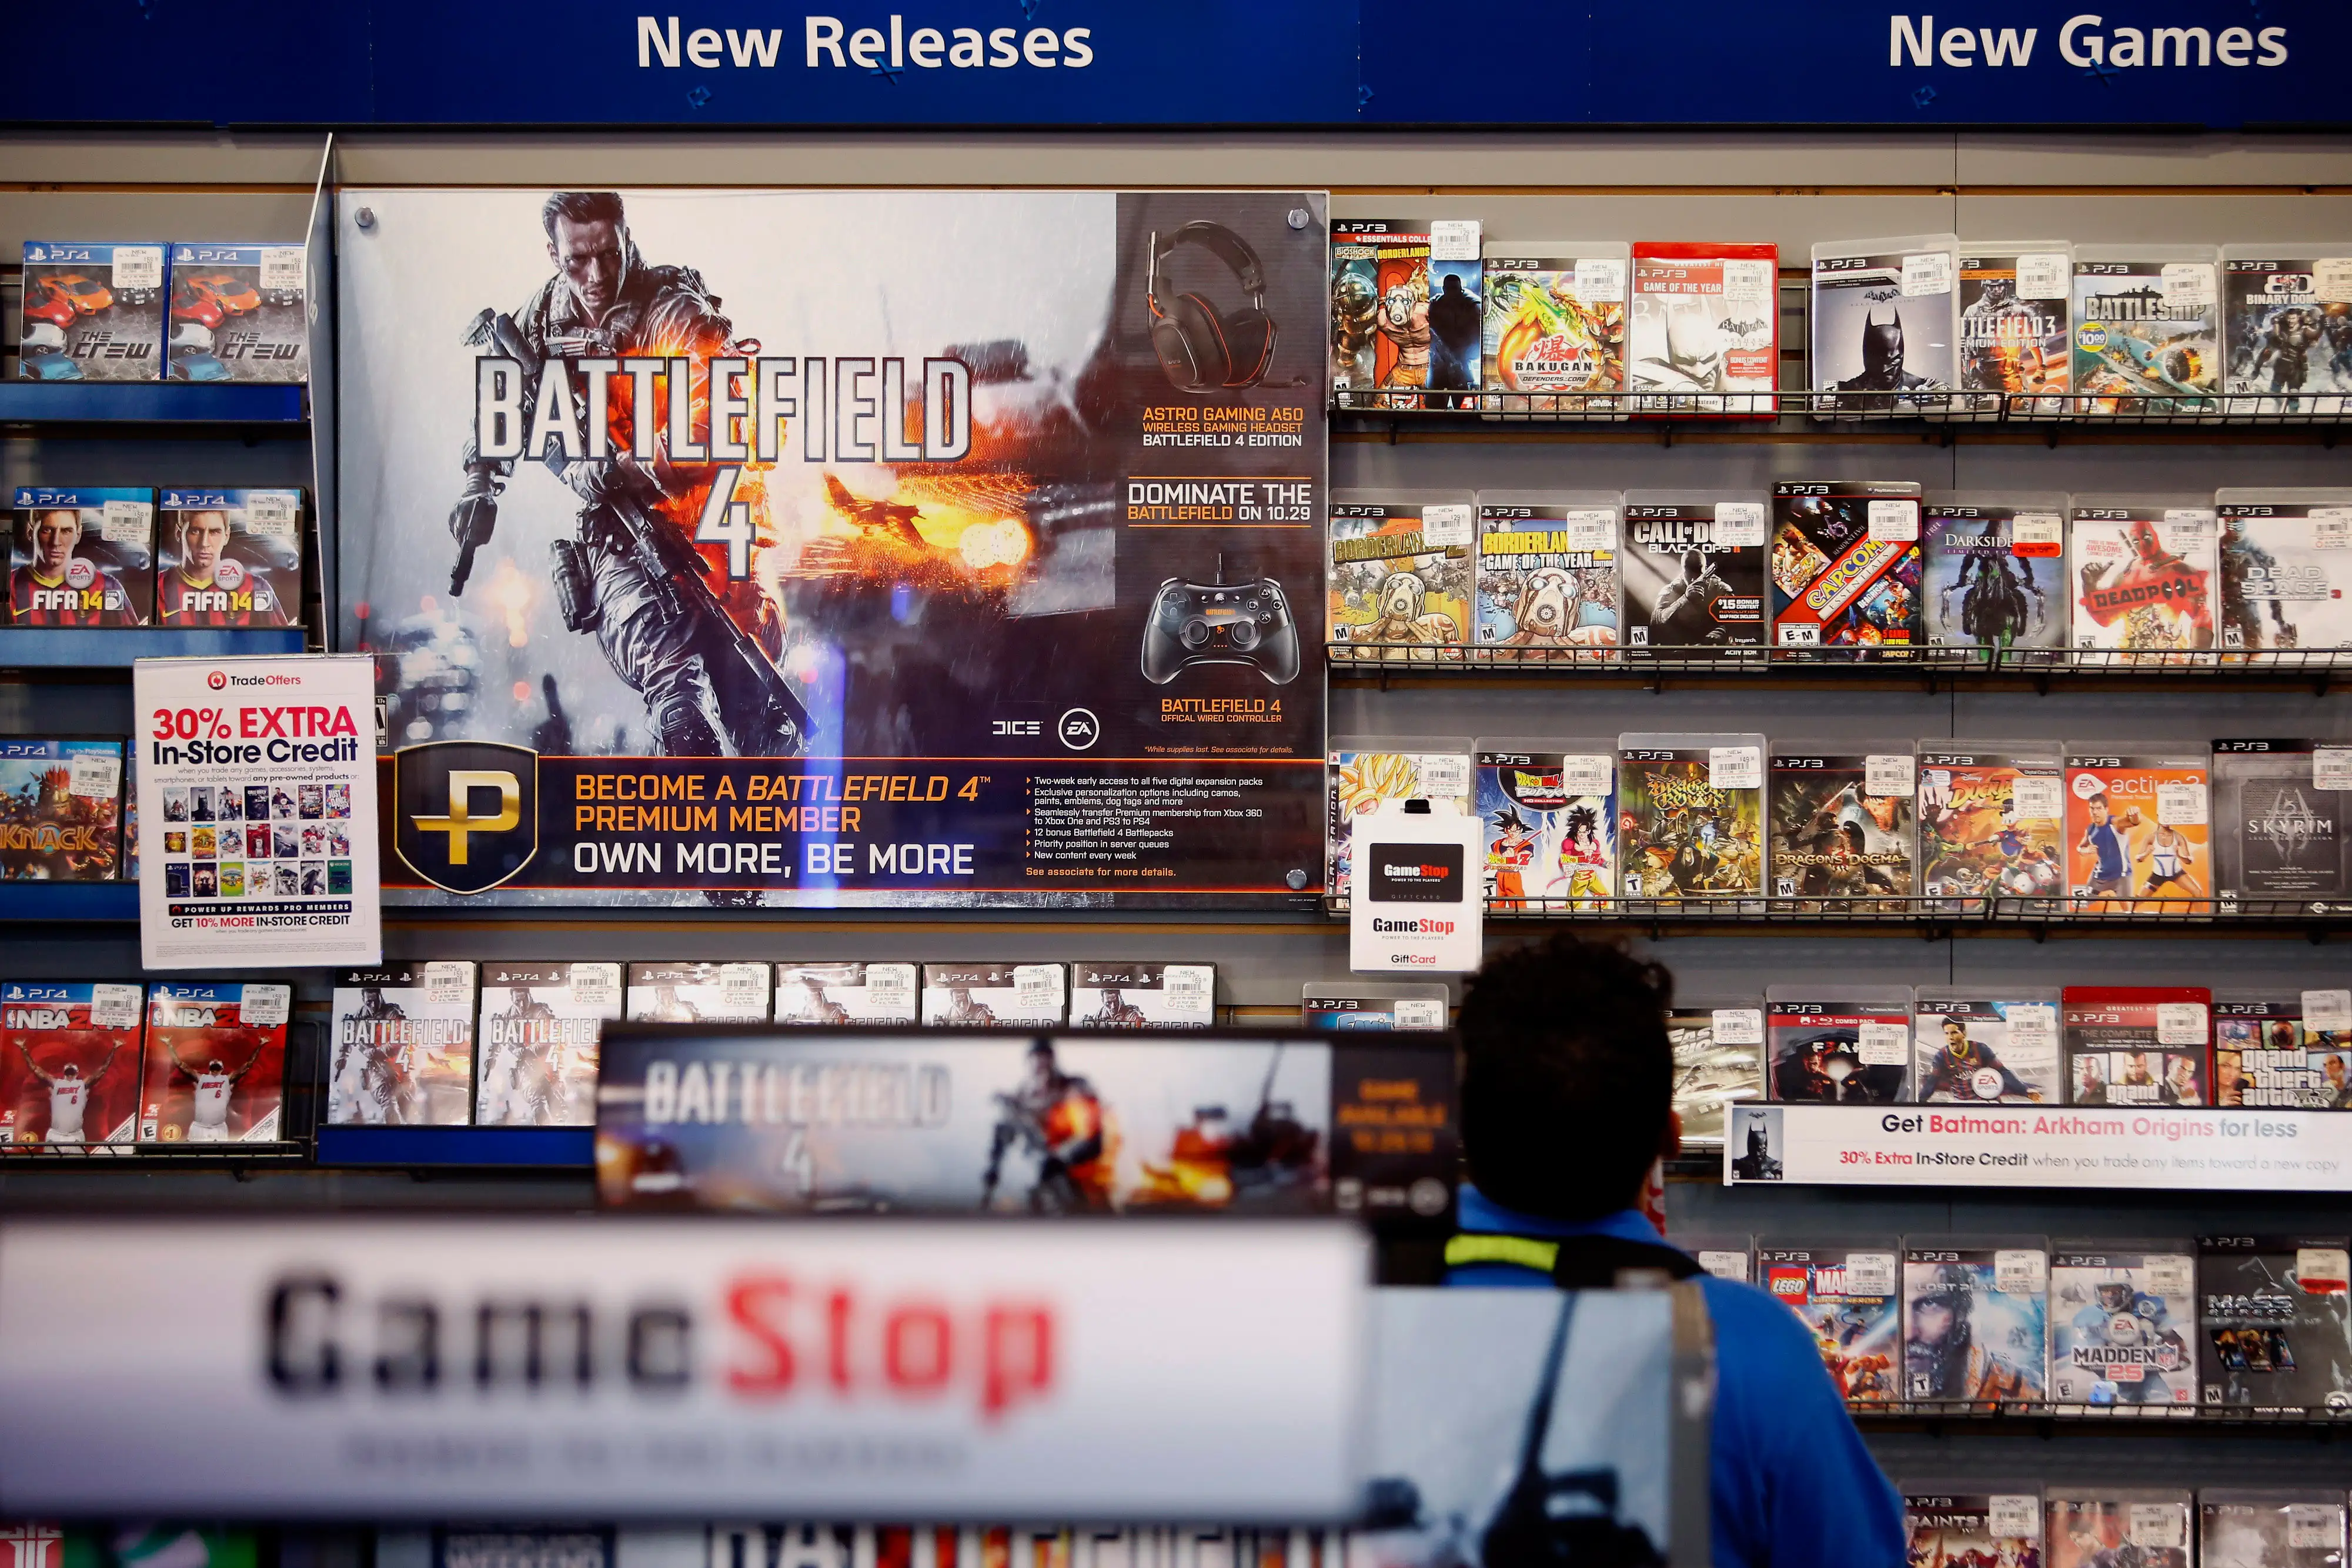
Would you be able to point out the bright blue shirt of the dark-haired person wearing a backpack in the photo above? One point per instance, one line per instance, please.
(1791, 1482)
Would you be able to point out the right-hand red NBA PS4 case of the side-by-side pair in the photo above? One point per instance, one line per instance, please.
(215, 1064)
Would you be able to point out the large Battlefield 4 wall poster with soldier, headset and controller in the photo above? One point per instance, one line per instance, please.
(838, 549)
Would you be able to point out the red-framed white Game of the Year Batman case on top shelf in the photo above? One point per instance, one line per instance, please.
(1704, 333)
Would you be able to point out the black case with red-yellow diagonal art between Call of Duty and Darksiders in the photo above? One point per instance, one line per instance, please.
(1845, 570)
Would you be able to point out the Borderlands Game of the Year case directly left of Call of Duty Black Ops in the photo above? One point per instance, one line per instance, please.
(1546, 575)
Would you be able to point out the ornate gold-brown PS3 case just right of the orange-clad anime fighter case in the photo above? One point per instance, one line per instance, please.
(1690, 815)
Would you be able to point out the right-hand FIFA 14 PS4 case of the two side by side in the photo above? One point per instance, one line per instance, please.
(229, 558)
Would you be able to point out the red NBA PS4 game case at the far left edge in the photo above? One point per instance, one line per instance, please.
(69, 1064)
